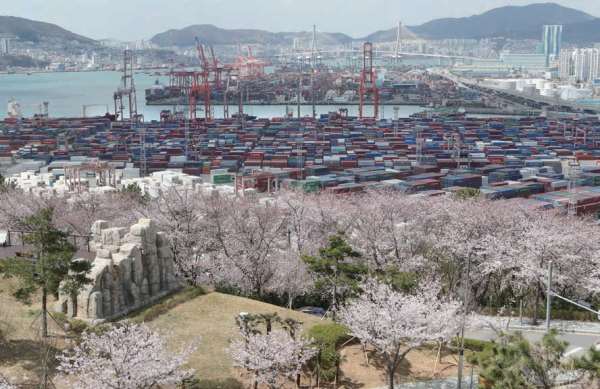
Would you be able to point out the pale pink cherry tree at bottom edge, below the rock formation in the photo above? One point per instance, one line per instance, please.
(130, 356)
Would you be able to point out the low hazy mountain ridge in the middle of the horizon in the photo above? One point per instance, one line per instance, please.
(211, 35)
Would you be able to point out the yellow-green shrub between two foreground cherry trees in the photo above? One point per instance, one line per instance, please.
(329, 337)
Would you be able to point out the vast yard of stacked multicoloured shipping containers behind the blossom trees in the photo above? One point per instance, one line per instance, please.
(528, 160)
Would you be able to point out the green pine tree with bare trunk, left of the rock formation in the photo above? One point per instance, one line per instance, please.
(50, 269)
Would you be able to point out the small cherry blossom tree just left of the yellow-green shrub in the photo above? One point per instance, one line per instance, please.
(274, 357)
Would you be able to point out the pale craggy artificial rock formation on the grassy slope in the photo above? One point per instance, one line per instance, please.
(132, 268)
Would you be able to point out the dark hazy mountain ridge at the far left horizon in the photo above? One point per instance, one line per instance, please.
(34, 31)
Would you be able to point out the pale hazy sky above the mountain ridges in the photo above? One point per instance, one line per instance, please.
(141, 19)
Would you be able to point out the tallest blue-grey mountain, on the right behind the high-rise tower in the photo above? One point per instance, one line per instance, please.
(518, 22)
